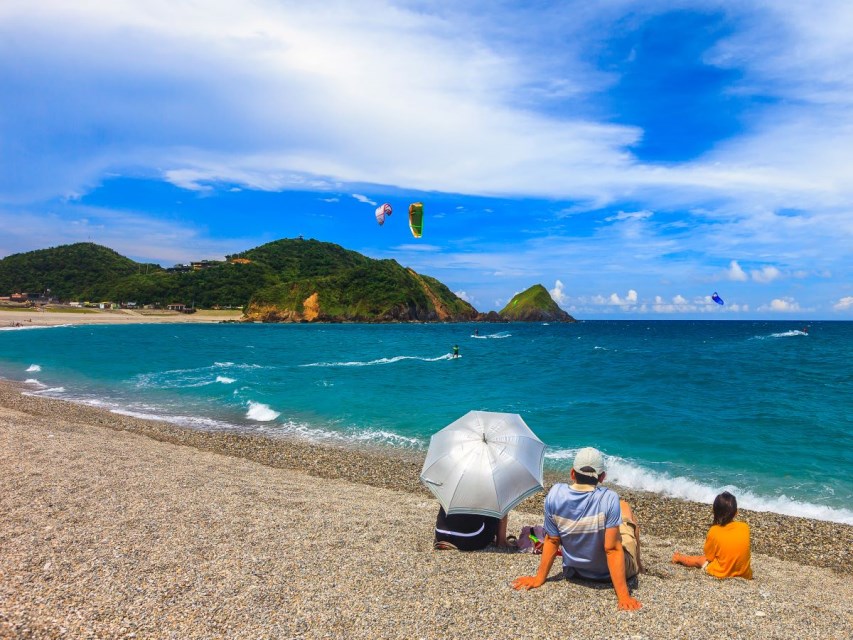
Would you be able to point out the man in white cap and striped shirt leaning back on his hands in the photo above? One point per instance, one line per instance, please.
(597, 531)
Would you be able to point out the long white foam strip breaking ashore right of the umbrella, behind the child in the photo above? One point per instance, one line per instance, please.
(633, 476)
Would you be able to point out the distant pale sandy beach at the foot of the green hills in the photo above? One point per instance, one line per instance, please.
(34, 317)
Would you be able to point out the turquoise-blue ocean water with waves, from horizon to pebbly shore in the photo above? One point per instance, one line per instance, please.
(686, 409)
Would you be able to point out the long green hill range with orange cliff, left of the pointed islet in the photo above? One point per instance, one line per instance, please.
(285, 280)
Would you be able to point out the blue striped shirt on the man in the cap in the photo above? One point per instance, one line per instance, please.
(579, 518)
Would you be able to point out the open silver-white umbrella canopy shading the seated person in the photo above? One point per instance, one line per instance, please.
(484, 463)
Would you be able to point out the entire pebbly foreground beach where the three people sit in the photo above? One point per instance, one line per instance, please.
(116, 527)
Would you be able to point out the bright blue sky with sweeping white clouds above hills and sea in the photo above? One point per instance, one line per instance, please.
(633, 157)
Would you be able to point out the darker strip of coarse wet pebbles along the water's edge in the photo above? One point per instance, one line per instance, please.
(818, 543)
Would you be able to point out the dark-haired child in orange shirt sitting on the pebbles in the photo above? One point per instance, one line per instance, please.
(727, 553)
